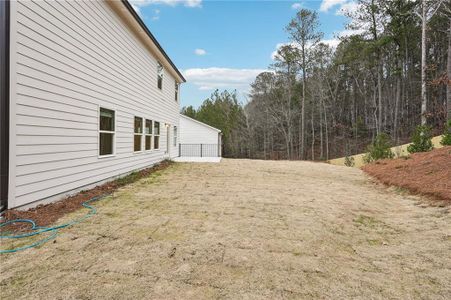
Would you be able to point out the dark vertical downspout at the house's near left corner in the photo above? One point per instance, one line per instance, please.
(4, 102)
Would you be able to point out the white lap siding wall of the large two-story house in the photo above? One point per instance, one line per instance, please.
(68, 59)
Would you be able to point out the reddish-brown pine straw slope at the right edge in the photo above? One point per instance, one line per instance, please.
(427, 173)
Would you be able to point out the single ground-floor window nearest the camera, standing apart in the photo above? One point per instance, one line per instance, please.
(106, 132)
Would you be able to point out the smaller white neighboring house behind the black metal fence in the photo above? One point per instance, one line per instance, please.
(198, 139)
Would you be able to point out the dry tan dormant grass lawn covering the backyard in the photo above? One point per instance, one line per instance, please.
(245, 230)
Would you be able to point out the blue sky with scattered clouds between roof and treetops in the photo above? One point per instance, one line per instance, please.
(225, 44)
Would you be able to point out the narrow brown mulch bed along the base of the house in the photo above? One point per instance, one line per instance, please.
(46, 214)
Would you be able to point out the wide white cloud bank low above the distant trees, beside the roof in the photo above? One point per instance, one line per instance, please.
(222, 78)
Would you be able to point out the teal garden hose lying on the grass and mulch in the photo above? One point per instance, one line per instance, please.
(37, 230)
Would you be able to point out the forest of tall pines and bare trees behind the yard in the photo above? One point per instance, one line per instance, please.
(315, 102)
